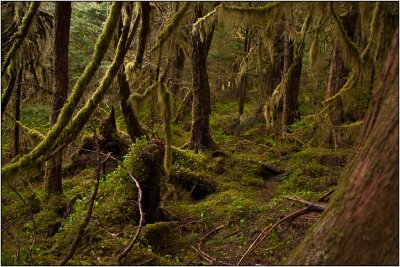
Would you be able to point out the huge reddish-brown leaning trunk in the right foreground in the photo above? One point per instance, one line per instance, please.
(361, 224)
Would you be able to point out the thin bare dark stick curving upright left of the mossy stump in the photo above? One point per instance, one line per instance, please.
(84, 224)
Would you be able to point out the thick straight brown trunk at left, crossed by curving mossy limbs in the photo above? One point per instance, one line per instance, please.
(62, 17)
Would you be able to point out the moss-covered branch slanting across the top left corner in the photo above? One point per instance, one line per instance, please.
(21, 34)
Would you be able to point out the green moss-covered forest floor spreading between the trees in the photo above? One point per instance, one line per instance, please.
(239, 194)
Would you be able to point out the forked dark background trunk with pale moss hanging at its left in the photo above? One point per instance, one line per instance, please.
(290, 96)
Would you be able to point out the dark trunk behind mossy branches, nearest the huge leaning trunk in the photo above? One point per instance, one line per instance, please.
(338, 72)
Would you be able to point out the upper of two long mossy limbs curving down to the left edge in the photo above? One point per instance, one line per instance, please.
(66, 113)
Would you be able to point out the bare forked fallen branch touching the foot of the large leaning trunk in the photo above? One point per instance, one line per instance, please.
(310, 207)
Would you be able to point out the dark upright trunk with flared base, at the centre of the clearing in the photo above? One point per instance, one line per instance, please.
(201, 108)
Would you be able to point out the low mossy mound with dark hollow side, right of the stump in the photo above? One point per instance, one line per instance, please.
(199, 184)
